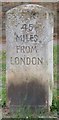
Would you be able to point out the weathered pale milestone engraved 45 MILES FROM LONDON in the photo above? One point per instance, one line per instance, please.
(29, 31)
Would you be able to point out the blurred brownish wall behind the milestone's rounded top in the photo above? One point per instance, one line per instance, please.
(8, 5)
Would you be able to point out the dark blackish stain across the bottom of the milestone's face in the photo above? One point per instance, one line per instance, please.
(28, 93)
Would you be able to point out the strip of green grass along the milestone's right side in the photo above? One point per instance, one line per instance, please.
(55, 103)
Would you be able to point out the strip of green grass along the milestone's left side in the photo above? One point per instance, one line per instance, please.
(4, 97)
